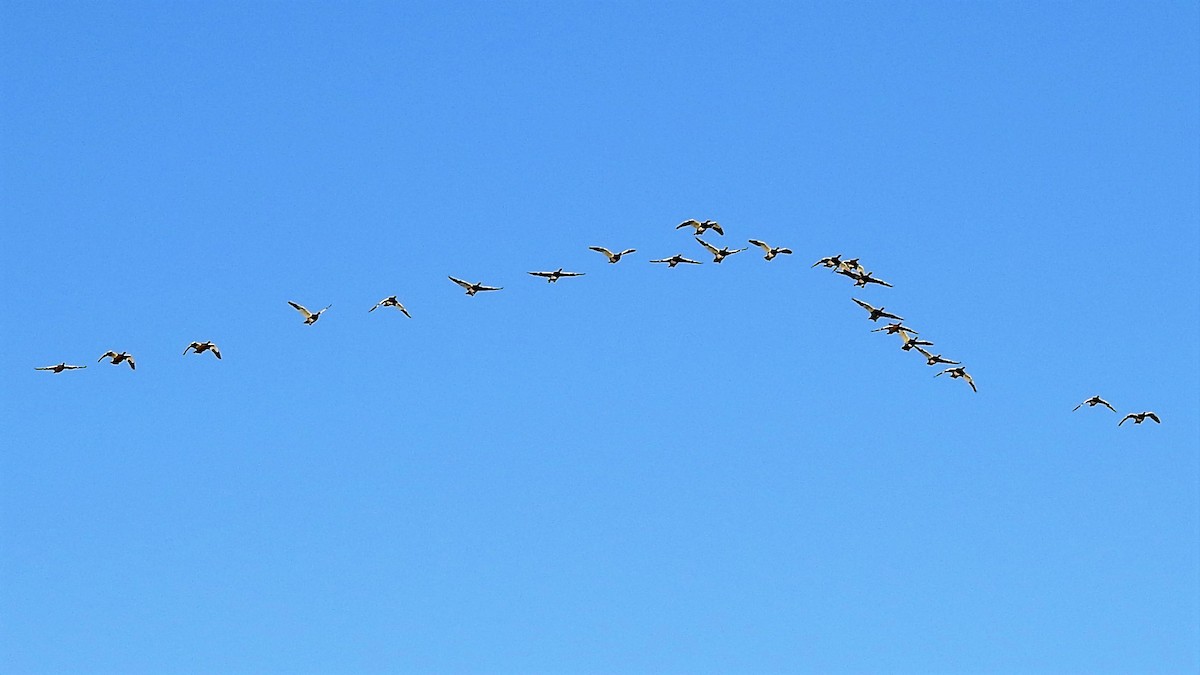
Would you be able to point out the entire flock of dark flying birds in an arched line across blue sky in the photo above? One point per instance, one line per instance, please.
(851, 268)
